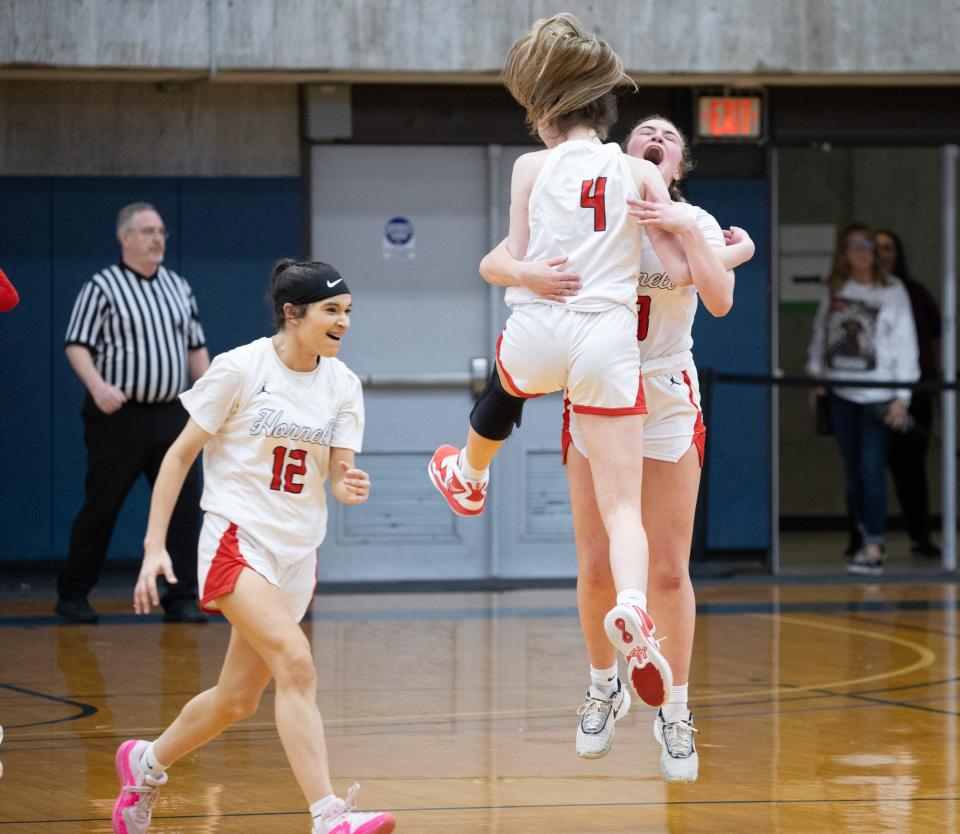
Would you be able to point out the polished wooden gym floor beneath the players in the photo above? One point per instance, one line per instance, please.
(821, 708)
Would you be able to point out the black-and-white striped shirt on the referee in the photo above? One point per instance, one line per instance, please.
(138, 330)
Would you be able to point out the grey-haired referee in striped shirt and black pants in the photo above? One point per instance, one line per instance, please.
(135, 341)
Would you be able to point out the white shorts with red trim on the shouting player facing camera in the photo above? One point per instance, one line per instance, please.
(673, 422)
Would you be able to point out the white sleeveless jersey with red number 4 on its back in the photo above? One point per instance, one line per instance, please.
(578, 209)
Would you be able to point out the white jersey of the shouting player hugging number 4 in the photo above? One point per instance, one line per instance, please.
(665, 312)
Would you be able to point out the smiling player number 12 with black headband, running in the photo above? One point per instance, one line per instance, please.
(276, 418)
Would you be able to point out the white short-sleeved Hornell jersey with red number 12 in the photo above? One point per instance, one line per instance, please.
(273, 429)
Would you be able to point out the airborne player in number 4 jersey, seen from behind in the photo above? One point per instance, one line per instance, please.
(570, 203)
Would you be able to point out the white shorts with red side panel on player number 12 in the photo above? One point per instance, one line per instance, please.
(225, 550)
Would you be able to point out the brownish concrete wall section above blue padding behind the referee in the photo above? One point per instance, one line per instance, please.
(110, 128)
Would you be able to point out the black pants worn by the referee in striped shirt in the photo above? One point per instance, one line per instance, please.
(120, 447)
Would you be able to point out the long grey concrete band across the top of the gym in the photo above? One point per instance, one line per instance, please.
(751, 38)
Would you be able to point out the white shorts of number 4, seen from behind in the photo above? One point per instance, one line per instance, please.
(594, 356)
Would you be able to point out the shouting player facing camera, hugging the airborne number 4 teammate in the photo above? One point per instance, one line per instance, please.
(673, 451)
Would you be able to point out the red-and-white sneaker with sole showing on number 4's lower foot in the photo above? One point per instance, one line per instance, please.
(630, 630)
